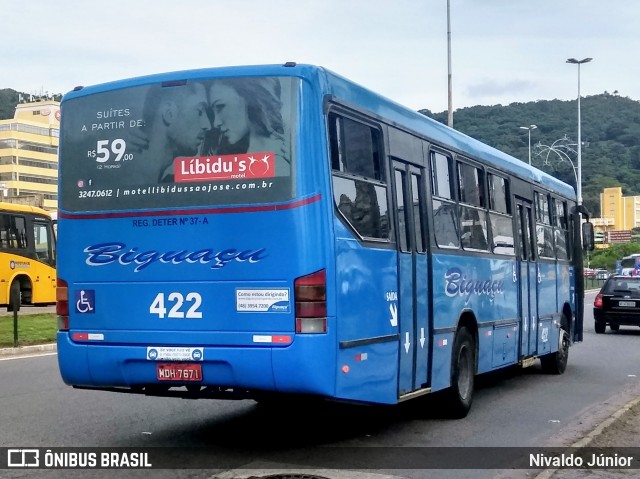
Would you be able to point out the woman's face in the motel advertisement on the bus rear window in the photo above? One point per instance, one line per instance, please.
(230, 112)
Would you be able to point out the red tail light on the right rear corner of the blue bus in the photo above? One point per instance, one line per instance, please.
(310, 294)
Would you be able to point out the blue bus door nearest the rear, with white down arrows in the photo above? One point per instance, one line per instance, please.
(413, 327)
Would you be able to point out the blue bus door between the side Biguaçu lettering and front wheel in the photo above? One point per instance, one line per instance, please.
(527, 275)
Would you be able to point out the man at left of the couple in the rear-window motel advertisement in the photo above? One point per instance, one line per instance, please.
(175, 124)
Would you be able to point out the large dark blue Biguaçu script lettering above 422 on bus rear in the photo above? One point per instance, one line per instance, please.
(103, 254)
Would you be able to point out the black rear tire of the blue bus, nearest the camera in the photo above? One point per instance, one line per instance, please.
(463, 369)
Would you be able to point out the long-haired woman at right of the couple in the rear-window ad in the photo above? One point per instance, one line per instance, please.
(247, 113)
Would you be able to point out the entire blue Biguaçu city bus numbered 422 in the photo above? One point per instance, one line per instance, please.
(260, 231)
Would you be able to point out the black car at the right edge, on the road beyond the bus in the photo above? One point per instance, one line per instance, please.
(617, 304)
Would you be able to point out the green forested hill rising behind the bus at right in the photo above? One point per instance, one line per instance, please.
(610, 136)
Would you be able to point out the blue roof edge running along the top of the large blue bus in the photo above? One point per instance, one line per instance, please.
(350, 92)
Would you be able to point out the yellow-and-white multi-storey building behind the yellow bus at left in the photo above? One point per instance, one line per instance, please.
(29, 154)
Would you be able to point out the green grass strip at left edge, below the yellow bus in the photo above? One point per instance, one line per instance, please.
(32, 329)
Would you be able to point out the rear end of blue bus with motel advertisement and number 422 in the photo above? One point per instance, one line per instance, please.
(200, 264)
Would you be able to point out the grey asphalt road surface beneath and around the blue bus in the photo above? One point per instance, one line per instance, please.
(516, 408)
